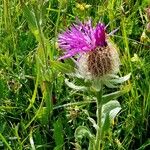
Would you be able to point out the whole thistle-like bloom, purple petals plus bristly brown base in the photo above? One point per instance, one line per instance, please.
(97, 57)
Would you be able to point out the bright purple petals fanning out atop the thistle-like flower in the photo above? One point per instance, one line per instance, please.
(82, 38)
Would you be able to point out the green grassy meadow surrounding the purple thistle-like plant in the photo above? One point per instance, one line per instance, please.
(38, 111)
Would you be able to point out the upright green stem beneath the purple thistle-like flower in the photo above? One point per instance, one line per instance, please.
(99, 116)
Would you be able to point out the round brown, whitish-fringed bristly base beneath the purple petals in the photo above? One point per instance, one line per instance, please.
(99, 62)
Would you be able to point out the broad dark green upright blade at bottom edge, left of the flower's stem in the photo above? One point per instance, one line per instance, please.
(58, 134)
